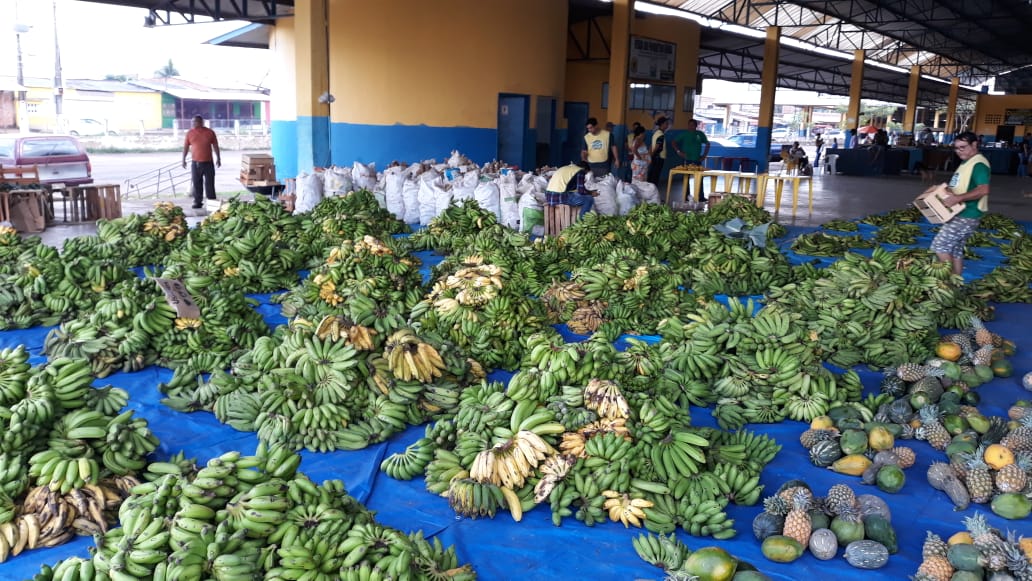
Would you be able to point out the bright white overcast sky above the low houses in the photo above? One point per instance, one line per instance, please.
(99, 40)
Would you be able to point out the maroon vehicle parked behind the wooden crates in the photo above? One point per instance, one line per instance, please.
(60, 159)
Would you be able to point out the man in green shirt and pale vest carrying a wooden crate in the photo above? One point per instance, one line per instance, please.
(971, 186)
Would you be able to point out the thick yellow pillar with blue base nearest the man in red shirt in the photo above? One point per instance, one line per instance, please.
(312, 66)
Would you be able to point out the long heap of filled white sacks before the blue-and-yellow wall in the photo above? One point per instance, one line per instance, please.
(421, 192)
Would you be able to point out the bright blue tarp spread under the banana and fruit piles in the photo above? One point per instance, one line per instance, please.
(501, 550)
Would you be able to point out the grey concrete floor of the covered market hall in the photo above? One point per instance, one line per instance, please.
(834, 198)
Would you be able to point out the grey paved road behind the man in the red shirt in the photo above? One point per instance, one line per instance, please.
(118, 169)
